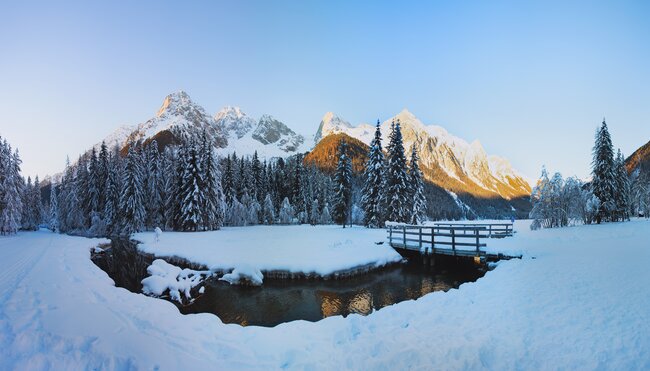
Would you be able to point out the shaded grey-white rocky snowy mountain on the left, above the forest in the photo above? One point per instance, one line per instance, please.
(230, 129)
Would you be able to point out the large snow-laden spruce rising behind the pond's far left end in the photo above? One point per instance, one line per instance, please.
(132, 208)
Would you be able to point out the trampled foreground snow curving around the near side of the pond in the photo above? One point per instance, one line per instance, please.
(581, 303)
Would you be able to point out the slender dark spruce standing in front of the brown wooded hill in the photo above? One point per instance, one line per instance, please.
(343, 187)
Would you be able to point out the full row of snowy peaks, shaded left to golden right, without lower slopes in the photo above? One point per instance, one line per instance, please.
(449, 161)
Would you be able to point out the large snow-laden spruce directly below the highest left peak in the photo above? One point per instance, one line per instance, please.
(191, 193)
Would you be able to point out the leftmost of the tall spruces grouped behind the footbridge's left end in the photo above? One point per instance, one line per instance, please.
(372, 189)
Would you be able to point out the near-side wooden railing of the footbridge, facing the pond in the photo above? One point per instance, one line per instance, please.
(438, 239)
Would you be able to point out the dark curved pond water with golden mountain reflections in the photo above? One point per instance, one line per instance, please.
(280, 300)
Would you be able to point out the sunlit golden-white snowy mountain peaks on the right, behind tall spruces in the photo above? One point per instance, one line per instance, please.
(465, 164)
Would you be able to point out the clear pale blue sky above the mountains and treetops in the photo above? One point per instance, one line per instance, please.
(531, 80)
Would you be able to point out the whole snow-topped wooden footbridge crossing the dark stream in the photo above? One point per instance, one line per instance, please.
(447, 239)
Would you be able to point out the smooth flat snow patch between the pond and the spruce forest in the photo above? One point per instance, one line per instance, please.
(322, 250)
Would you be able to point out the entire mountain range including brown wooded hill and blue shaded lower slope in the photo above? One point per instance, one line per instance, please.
(462, 181)
